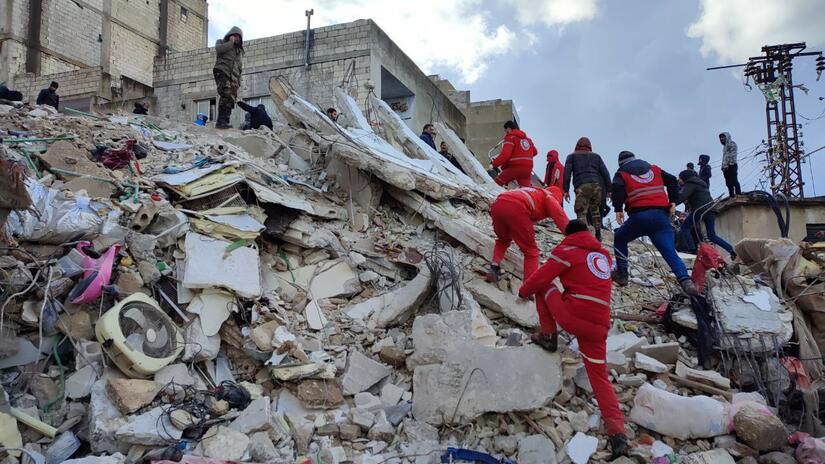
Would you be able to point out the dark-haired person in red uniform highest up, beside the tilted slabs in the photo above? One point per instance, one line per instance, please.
(516, 157)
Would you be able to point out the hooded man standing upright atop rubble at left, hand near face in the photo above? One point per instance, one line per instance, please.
(227, 71)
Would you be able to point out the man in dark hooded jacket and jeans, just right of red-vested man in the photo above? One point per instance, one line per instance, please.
(696, 197)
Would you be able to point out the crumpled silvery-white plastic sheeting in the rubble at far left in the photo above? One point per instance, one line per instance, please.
(58, 218)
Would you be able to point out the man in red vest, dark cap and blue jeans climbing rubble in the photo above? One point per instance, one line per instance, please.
(649, 195)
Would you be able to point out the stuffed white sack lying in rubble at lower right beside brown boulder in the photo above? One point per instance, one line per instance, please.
(656, 409)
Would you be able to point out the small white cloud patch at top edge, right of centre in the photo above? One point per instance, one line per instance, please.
(552, 12)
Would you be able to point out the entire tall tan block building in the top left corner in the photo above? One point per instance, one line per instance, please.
(100, 51)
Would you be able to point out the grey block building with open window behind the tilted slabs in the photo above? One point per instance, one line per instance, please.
(357, 55)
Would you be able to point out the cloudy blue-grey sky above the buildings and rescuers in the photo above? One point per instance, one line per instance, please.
(629, 74)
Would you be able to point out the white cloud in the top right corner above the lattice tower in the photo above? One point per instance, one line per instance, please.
(733, 30)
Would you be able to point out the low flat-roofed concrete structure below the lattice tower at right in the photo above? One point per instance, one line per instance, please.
(746, 217)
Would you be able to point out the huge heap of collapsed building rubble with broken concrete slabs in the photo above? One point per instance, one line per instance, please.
(316, 294)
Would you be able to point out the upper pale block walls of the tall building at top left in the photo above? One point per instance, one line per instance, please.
(120, 36)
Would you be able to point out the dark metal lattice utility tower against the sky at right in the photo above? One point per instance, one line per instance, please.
(771, 72)
